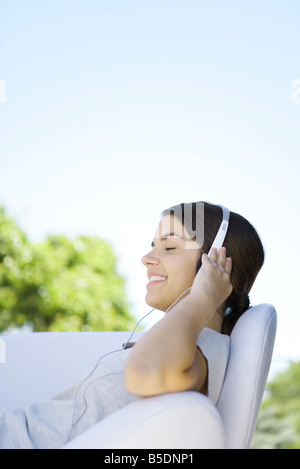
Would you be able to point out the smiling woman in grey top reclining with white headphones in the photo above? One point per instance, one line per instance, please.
(203, 296)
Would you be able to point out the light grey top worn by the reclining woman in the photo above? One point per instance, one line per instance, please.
(49, 424)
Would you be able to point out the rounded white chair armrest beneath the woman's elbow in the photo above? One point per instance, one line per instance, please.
(174, 421)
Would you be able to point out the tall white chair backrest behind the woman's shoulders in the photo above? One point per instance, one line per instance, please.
(252, 342)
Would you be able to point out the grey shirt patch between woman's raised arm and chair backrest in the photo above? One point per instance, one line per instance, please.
(216, 348)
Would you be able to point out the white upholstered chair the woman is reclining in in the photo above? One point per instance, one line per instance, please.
(38, 365)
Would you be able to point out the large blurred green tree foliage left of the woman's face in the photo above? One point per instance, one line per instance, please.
(59, 284)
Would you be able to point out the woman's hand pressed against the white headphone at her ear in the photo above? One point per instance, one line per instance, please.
(213, 278)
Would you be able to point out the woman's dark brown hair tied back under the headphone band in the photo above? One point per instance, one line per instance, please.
(242, 244)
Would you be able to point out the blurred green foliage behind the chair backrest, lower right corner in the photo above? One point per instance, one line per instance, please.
(278, 425)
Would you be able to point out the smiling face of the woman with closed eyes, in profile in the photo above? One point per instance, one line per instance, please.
(171, 264)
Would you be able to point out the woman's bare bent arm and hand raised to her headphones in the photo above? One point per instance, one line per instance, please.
(166, 358)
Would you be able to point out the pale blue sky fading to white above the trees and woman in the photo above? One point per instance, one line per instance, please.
(113, 111)
